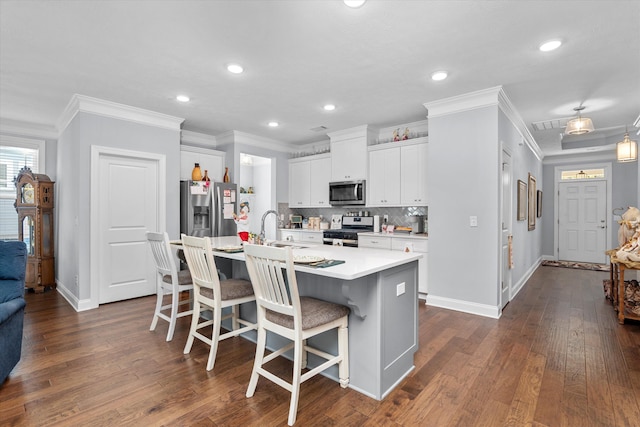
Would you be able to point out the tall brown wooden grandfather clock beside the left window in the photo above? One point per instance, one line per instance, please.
(34, 203)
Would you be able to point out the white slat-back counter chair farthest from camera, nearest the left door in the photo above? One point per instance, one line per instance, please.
(170, 281)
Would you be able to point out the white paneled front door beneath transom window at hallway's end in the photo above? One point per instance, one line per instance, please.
(582, 221)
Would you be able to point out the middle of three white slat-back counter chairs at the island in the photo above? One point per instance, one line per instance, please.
(211, 293)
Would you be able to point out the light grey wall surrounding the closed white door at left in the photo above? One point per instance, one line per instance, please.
(74, 186)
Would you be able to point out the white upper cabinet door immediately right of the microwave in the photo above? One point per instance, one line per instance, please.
(384, 179)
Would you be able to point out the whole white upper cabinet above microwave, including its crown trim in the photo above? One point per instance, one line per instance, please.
(349, 153)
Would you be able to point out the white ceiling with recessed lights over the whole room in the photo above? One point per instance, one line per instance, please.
(373, 62)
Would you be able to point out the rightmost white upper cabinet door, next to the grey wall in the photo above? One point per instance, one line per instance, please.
(414, 174)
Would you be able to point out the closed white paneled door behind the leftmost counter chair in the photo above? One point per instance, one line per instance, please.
(128, 206)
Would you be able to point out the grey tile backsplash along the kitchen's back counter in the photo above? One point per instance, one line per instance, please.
(397, 215)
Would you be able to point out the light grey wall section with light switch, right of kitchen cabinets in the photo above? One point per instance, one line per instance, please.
(463, 176)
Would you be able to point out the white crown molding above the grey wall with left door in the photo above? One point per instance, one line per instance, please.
(82, 103)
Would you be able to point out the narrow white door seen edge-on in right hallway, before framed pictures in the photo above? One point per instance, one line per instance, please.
(507, 206)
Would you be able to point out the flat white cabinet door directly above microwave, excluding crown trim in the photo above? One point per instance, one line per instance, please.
(349, 159)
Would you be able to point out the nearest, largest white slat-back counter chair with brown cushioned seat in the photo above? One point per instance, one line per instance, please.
(282, 310)
